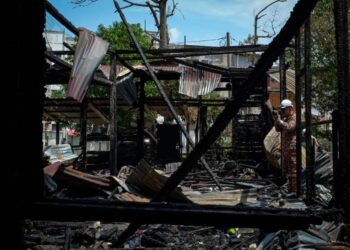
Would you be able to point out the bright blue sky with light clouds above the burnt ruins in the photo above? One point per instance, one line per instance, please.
(198, 20)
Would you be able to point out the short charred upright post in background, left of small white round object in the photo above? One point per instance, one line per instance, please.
(141, 119)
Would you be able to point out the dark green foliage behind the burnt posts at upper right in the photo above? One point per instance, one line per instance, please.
(323, 57)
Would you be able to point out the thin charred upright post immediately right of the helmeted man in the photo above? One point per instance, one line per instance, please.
(298, 110)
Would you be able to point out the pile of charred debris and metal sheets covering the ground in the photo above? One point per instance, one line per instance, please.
(242, 185)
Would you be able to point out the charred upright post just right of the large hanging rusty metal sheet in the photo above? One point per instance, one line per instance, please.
(113, 140)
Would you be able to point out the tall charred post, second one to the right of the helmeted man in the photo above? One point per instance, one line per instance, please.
(310, 184)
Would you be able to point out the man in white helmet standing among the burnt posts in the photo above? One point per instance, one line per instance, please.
(286, 124)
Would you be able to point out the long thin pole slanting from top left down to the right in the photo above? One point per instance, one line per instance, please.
(162, 92)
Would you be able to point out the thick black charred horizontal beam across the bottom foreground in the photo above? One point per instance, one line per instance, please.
(178, 214)
